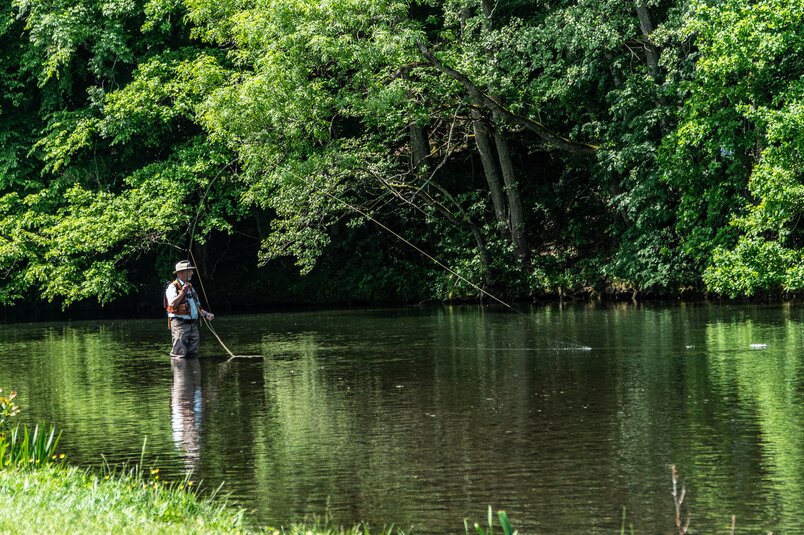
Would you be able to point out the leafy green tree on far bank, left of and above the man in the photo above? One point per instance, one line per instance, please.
(121, 168)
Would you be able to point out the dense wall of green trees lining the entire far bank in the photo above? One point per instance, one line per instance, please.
(570, 146)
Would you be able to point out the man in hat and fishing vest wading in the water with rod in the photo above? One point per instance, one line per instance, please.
(184, 309)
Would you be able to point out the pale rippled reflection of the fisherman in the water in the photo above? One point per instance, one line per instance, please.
(185, 409)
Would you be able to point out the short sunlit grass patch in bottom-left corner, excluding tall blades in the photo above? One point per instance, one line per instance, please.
(53, 499)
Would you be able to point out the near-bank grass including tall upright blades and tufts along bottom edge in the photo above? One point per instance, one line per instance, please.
(39, 494)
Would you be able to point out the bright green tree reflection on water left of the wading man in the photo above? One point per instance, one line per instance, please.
(64, 376)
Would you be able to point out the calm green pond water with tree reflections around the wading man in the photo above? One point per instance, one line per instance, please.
(424, 417)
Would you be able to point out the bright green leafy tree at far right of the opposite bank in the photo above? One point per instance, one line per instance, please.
(746, 117)
